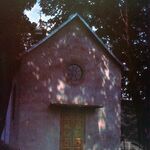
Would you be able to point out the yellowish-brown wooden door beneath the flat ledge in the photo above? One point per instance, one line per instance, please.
(72, 129)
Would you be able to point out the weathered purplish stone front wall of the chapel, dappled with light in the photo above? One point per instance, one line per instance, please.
(42, 81)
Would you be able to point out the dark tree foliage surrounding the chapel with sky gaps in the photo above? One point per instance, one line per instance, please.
(123, 25)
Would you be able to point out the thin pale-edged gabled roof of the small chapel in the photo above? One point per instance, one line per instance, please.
(75, 17)
